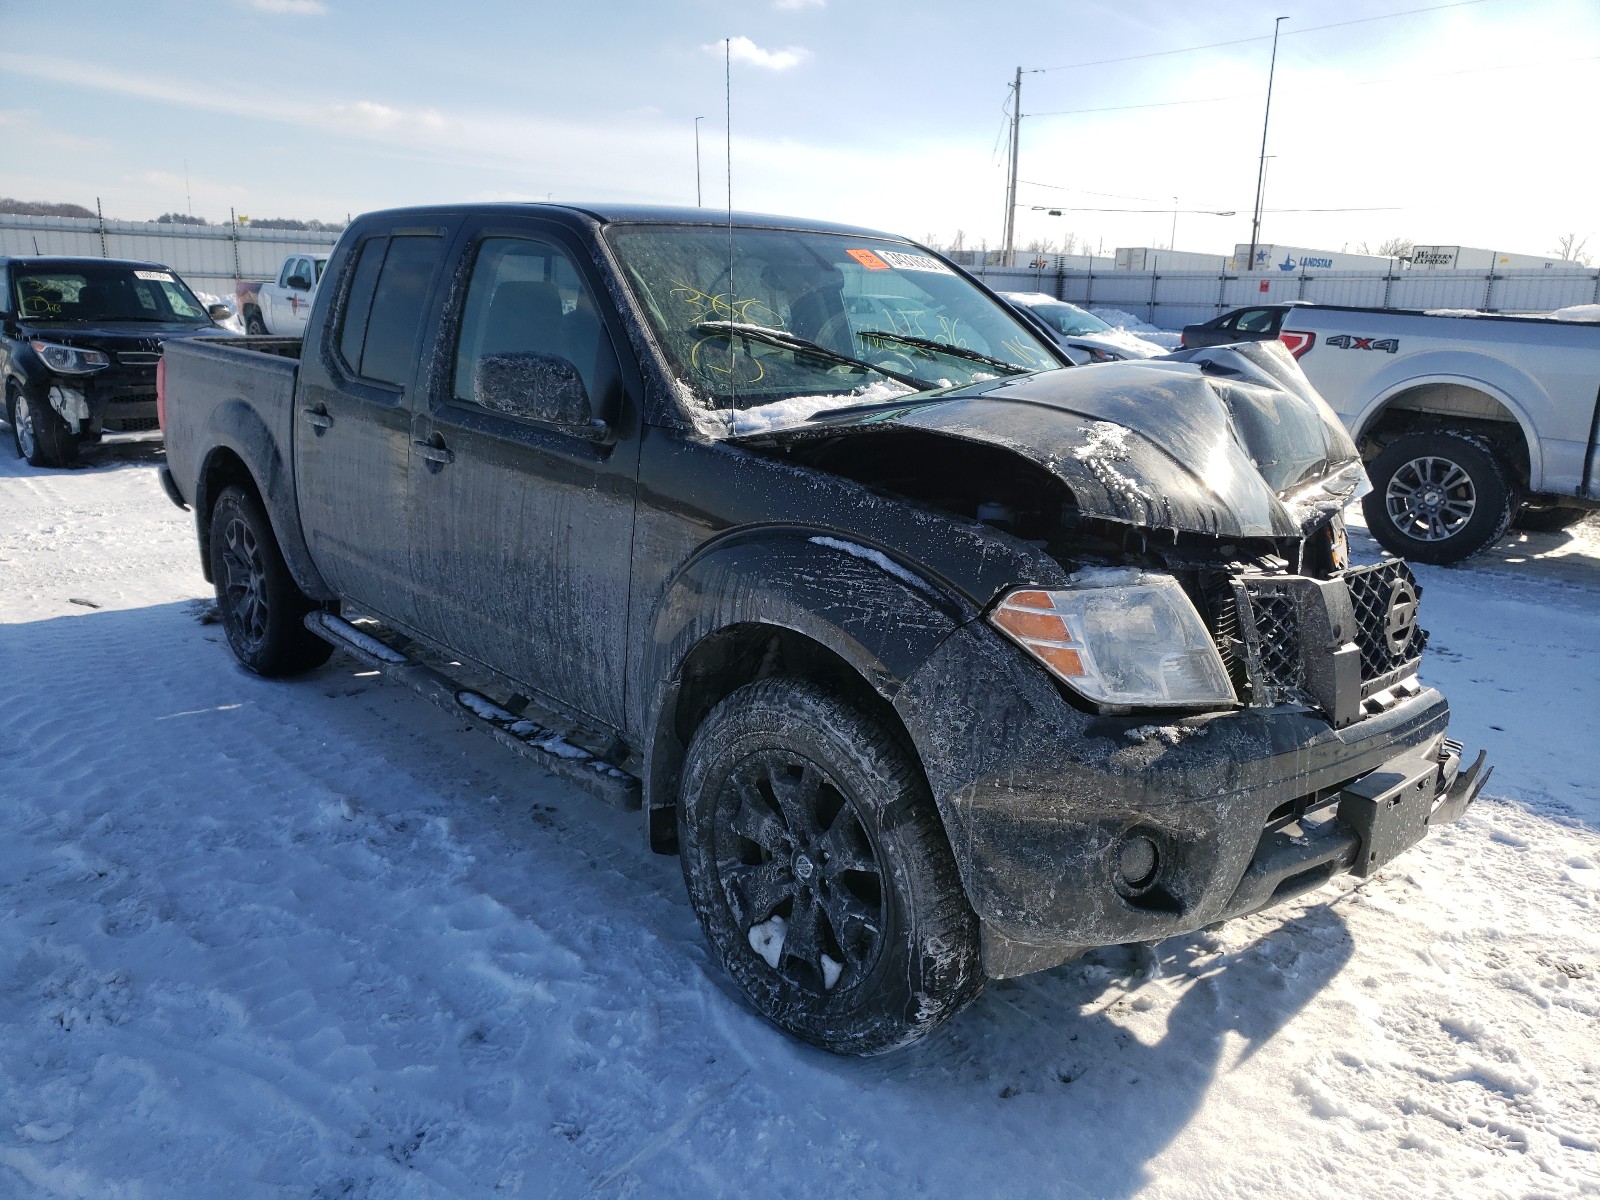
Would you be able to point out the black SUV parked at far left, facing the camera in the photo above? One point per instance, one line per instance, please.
(79, 345)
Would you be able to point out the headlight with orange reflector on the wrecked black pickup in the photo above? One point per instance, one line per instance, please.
(1121, 639)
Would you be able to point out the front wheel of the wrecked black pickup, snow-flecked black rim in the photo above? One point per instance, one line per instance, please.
(820, 871)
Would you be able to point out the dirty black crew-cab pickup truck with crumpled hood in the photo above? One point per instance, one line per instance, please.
(935, 662)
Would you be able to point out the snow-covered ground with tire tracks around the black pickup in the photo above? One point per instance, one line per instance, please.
(314, 940)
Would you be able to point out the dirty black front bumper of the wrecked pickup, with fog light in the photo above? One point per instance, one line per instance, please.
(1238, 810)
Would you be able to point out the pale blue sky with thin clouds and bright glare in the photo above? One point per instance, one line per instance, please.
(1462, 124)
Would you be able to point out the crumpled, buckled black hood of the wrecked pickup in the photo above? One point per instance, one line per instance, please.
(1222, 441)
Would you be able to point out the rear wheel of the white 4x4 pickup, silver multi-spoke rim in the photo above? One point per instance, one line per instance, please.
(1438, 497)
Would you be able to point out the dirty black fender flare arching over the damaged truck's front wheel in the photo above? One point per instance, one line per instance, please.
(876, 614)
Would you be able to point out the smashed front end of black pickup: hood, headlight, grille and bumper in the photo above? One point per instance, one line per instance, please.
(1201, 706)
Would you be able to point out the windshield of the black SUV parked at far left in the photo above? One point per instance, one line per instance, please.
(97, 292)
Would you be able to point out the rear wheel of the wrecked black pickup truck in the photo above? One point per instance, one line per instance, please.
(262, 607)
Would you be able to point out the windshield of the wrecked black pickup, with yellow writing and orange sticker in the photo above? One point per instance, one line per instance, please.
(767, 316)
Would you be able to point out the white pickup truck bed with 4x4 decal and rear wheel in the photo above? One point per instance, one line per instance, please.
(1466, 422)
